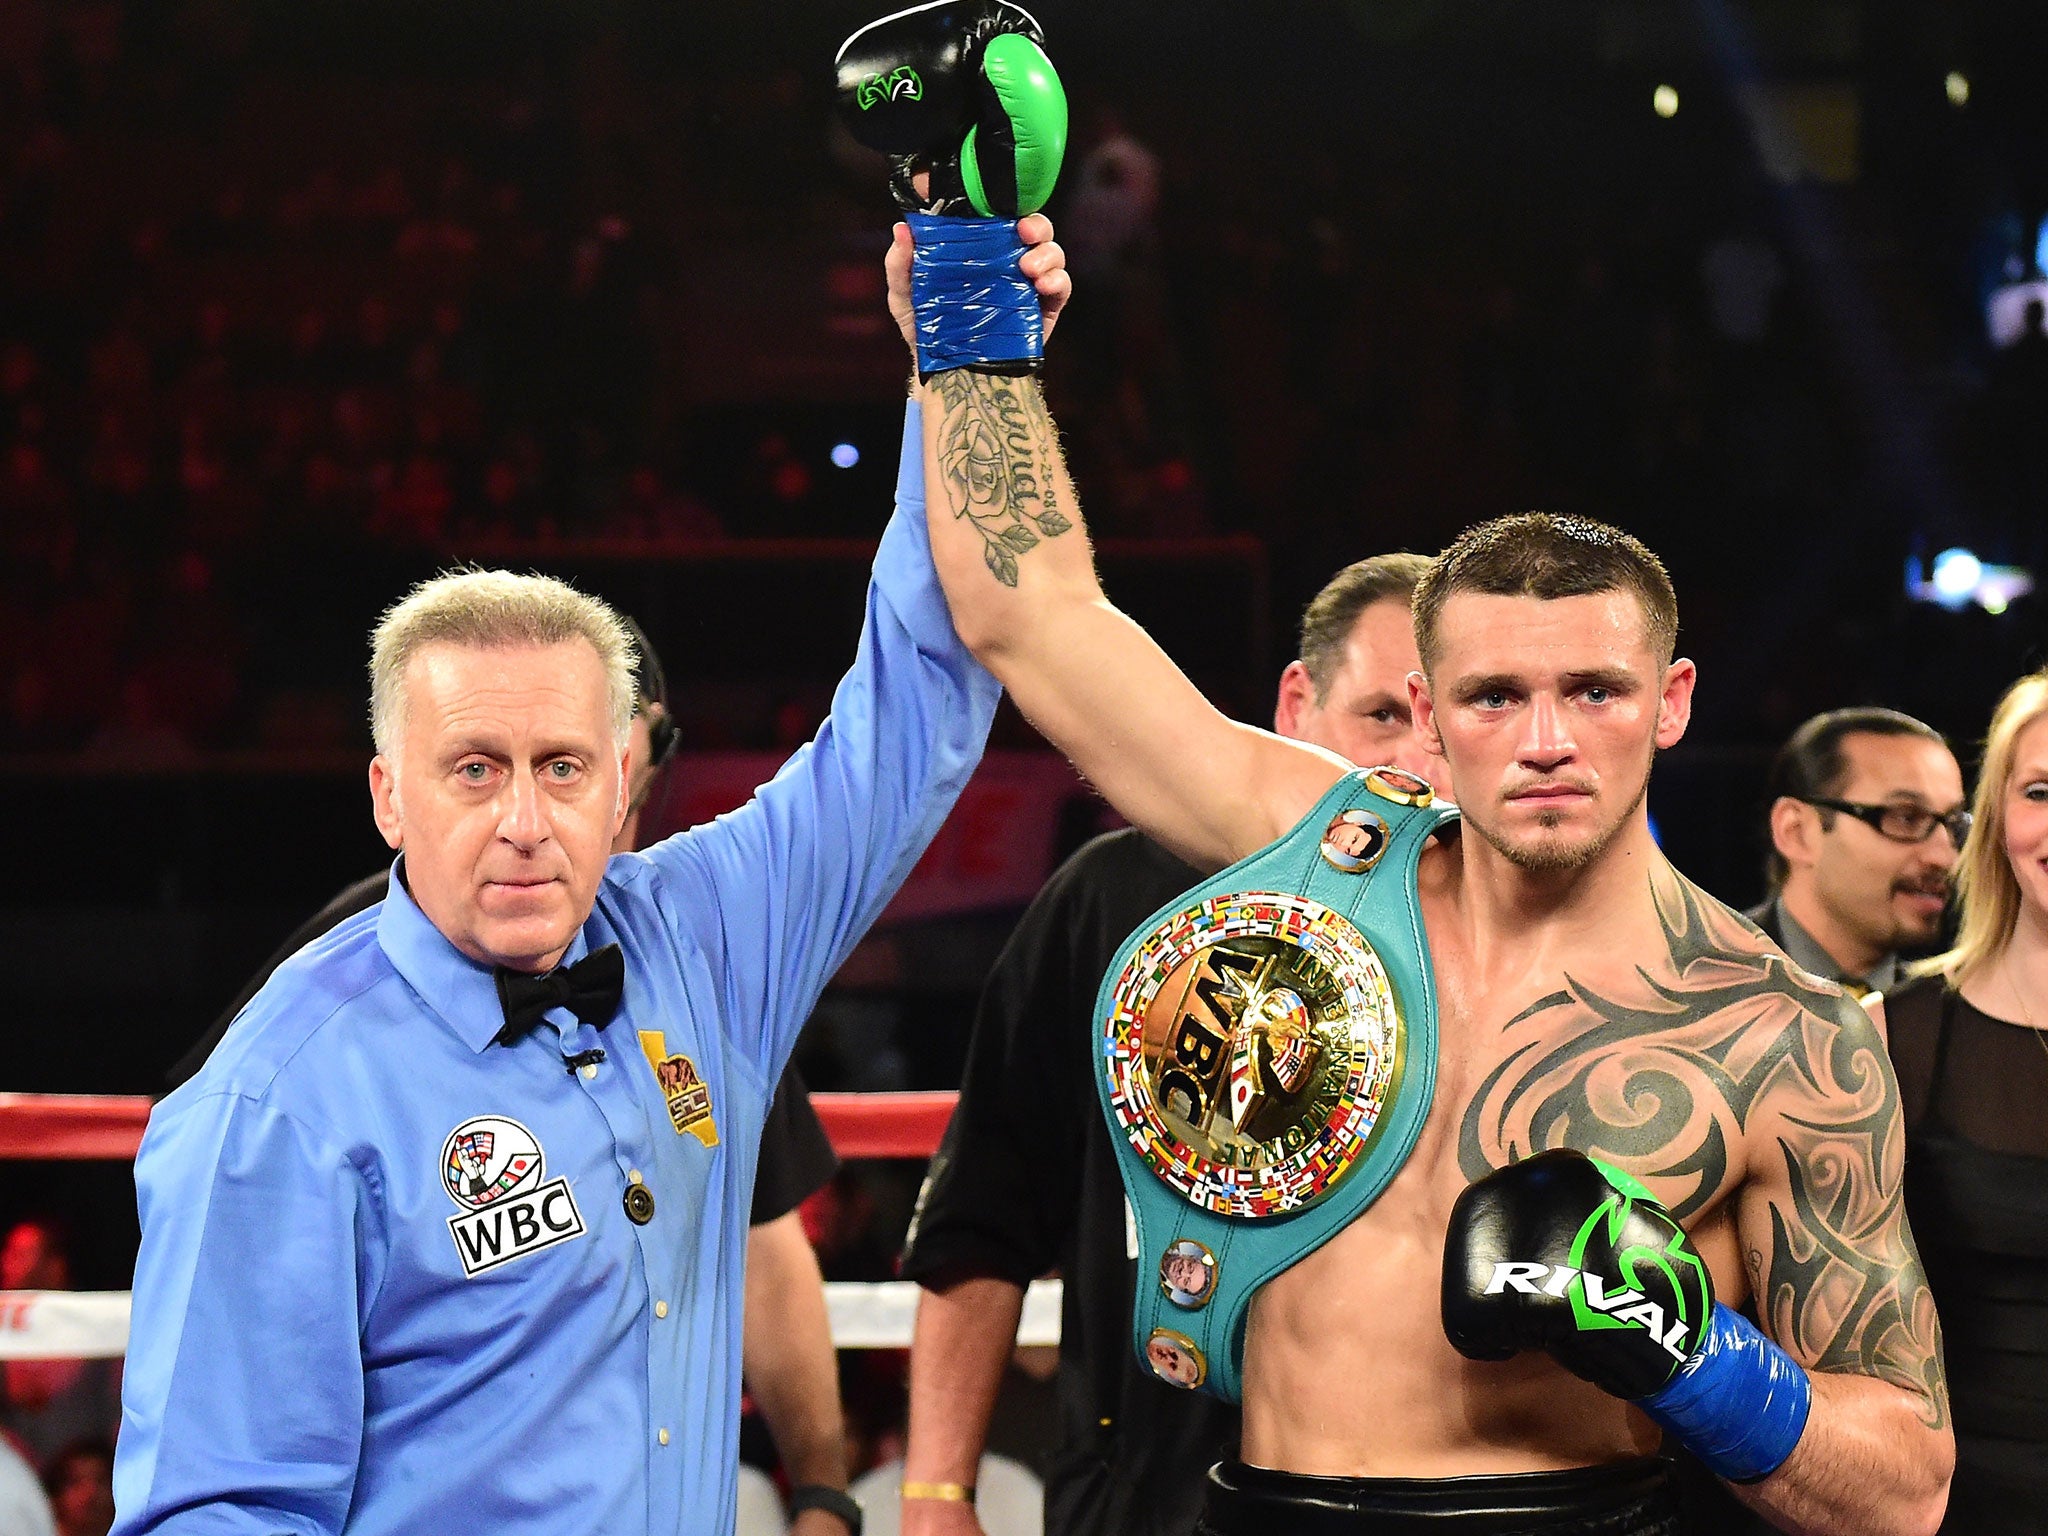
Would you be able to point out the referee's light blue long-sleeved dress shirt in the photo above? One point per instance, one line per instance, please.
(388, 1279)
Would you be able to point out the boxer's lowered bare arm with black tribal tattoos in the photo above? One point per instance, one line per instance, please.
(1840, 1285)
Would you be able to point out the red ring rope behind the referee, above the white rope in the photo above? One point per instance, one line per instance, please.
(87, 1125)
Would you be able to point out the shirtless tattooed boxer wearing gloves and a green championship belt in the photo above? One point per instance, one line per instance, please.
(1482, 1320)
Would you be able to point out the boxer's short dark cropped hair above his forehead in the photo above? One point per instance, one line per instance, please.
(1545, 556)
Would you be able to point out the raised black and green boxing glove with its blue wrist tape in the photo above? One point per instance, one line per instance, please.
(964, 91)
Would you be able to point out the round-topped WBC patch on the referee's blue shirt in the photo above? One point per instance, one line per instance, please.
(495, 1168)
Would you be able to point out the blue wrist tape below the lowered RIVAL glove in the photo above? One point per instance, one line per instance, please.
(1740, 1402)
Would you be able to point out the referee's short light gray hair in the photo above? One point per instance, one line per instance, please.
(486, 611)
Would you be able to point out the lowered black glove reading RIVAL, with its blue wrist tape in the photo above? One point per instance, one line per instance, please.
(1572, 1256)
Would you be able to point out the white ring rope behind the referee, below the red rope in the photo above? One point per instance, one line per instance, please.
(93, 1324)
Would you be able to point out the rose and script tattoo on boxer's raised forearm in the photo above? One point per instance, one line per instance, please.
(996, 456)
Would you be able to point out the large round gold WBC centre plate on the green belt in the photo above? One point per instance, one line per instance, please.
(1252, 1043)
